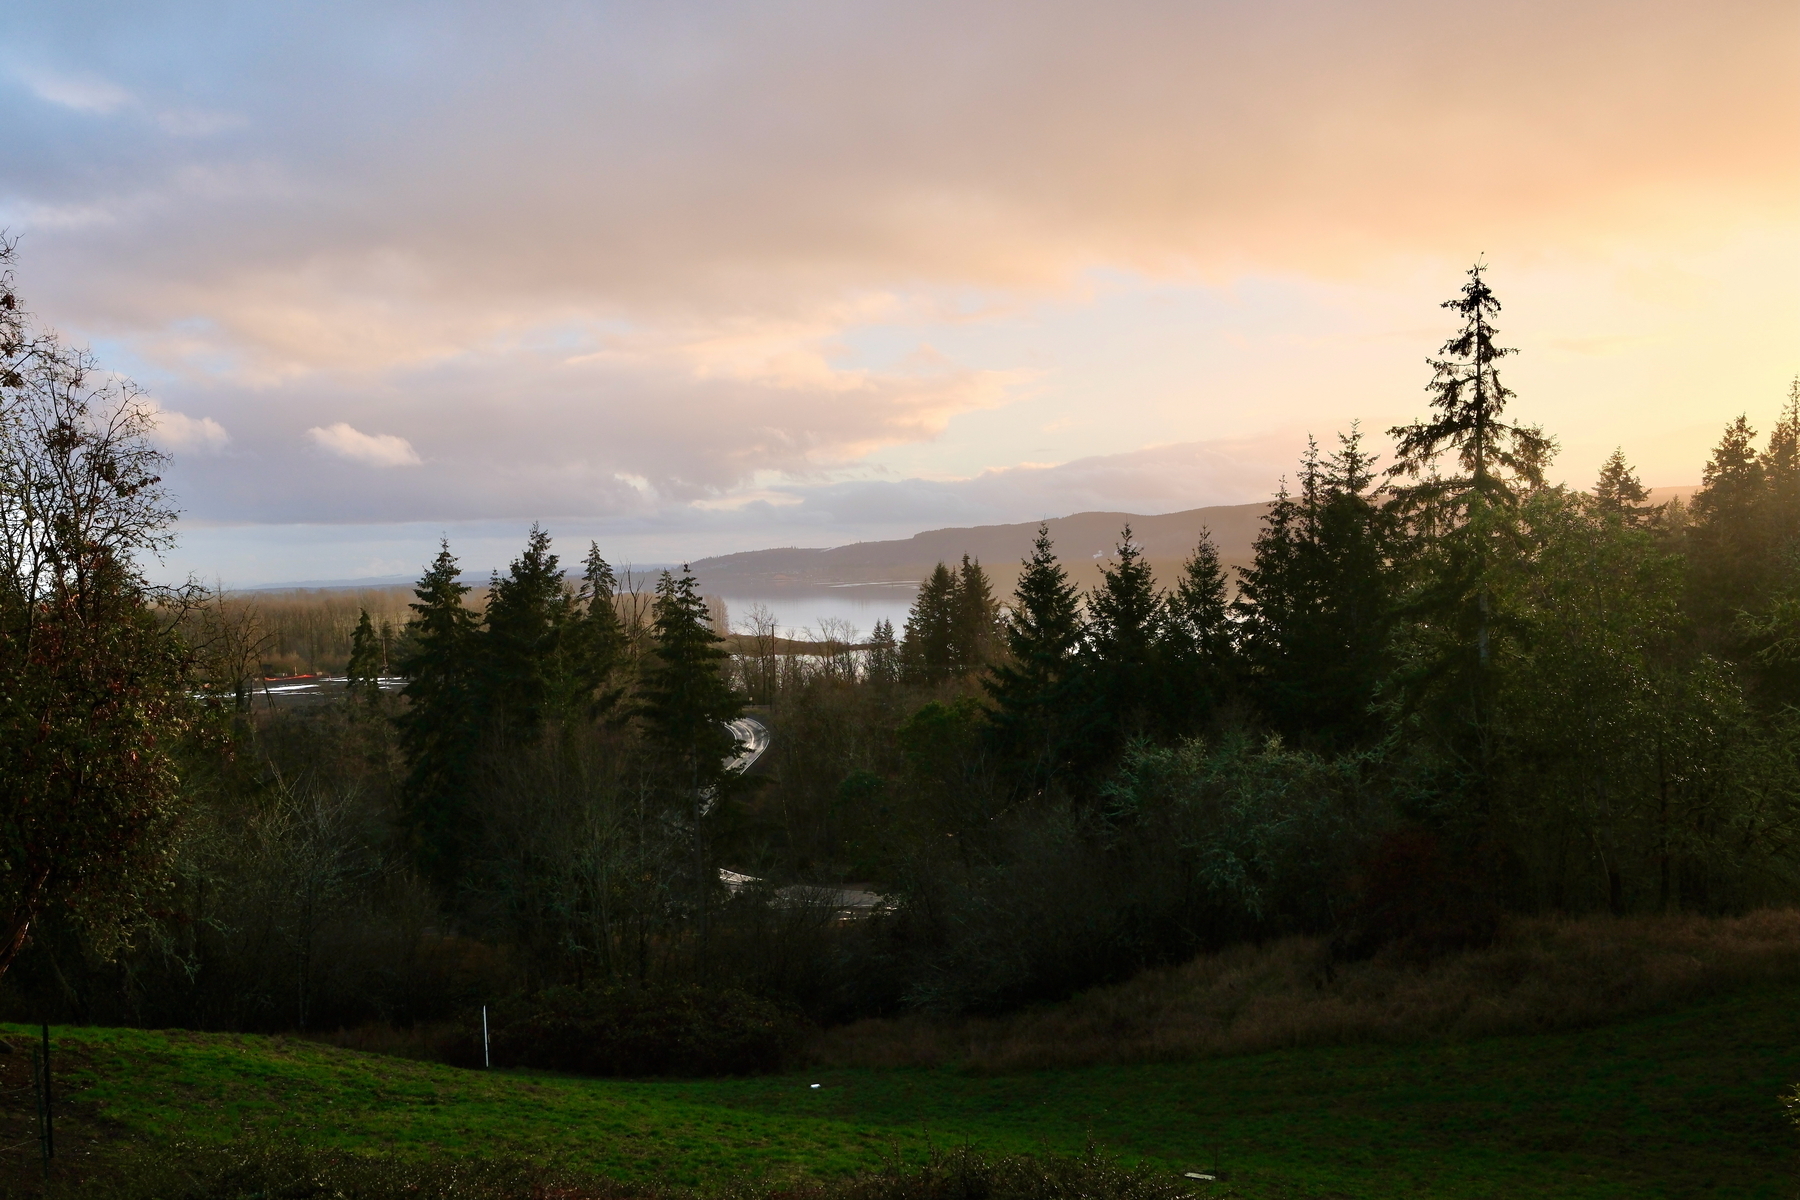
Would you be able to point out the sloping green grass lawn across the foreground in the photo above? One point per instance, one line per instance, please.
(1675, 1106)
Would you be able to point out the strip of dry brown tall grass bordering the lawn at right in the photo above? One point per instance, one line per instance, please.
(1540, 974)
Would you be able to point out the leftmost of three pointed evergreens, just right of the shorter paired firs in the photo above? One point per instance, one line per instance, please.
(1036, 688)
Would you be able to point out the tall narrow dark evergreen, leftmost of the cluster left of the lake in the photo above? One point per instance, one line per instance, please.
(442, 721)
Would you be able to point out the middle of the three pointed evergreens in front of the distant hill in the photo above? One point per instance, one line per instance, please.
(1124, 640)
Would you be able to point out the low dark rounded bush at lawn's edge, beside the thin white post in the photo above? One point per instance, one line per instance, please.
(638, 1032)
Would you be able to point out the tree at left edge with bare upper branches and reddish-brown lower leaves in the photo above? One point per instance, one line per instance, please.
(93, 679)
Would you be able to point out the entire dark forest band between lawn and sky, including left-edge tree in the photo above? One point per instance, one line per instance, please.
(1448, 692)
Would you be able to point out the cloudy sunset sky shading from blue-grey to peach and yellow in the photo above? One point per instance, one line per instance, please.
(692, 278)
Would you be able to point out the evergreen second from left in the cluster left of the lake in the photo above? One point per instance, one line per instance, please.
(528, 616)
